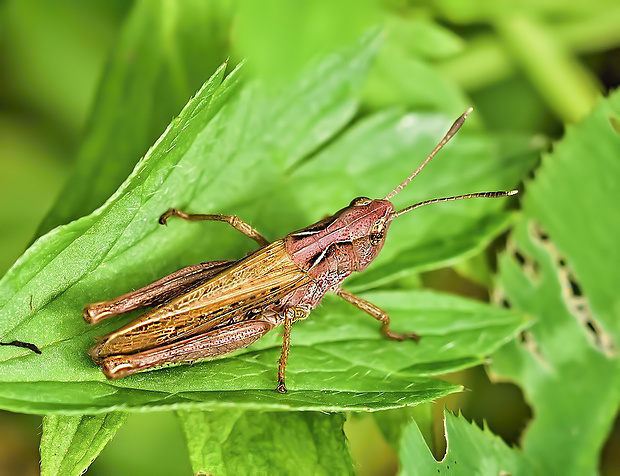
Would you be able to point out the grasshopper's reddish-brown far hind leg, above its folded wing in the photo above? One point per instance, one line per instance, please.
(155, 293)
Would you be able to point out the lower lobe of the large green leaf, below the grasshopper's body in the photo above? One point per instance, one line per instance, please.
(338, 361)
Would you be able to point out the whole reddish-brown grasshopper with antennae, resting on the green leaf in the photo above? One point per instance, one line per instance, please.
(216, 307)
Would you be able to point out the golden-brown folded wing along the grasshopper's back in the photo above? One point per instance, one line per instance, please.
(235, 294)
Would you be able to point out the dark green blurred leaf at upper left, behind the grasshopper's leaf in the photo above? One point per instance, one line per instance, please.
(164, 52)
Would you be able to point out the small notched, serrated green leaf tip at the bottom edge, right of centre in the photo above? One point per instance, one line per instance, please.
(470, 451)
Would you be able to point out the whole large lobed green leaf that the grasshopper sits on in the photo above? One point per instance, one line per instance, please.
(231, 151)
